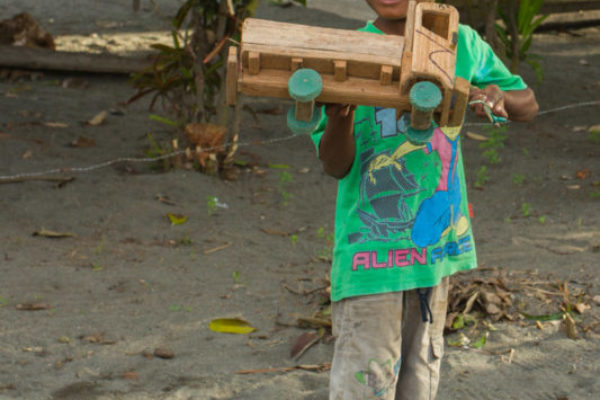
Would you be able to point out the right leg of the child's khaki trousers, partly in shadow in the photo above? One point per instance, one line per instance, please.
(422, 345)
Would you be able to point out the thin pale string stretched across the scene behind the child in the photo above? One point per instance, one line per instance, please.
(180, 152)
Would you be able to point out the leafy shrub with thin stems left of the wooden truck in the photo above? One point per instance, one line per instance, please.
(187, 77)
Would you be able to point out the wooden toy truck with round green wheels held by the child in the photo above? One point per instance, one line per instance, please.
(414, 73)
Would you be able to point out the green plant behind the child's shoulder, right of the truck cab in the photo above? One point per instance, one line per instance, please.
(520, 19)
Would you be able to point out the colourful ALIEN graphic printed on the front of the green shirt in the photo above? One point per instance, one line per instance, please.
(390, 178)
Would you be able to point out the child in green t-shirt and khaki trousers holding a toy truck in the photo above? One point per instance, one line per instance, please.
(402, 226)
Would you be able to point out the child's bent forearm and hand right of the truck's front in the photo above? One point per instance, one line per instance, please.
(516, 105)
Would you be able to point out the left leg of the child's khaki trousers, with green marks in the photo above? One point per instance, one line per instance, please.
(366, 356)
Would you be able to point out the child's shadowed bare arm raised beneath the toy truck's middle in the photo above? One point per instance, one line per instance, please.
(337, 148)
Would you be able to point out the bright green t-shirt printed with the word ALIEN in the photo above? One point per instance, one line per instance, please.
(402, 216)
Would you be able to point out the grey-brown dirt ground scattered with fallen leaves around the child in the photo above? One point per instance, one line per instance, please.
(128, 281)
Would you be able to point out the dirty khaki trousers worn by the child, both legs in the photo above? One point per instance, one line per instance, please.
(384, 349)
